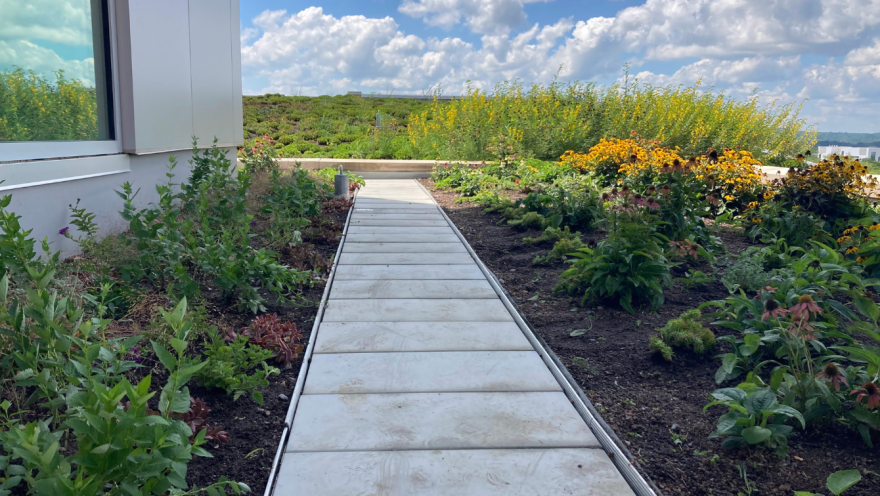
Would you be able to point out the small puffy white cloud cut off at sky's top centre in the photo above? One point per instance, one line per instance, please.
(482, 16)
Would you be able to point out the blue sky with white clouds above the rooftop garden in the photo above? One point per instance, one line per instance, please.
(824, 53)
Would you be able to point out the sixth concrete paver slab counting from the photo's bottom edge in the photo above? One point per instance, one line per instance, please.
(348, 290)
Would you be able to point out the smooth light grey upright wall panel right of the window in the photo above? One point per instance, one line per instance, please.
(179, 73)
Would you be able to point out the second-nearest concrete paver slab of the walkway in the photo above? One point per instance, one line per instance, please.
(436, 421)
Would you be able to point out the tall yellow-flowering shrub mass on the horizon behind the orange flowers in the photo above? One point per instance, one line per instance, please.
(546, 120)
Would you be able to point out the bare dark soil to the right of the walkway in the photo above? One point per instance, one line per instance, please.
(647, 402)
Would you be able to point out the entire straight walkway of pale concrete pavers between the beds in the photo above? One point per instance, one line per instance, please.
(422, 383)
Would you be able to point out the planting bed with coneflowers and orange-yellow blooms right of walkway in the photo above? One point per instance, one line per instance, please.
(791, 337)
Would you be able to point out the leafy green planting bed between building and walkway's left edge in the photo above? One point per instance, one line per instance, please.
(113, 363)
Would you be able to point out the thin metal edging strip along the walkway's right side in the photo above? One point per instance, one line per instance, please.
(620, 456)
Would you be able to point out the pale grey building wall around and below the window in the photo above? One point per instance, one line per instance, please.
(176, 67)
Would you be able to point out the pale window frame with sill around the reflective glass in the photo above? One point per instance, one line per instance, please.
(53, 150)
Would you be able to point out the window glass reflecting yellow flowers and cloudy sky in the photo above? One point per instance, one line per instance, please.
(55, 83)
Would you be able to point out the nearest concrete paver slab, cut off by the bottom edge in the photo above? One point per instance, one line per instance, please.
(507, 472)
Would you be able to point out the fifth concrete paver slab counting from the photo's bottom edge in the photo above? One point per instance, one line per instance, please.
(416, 310)
